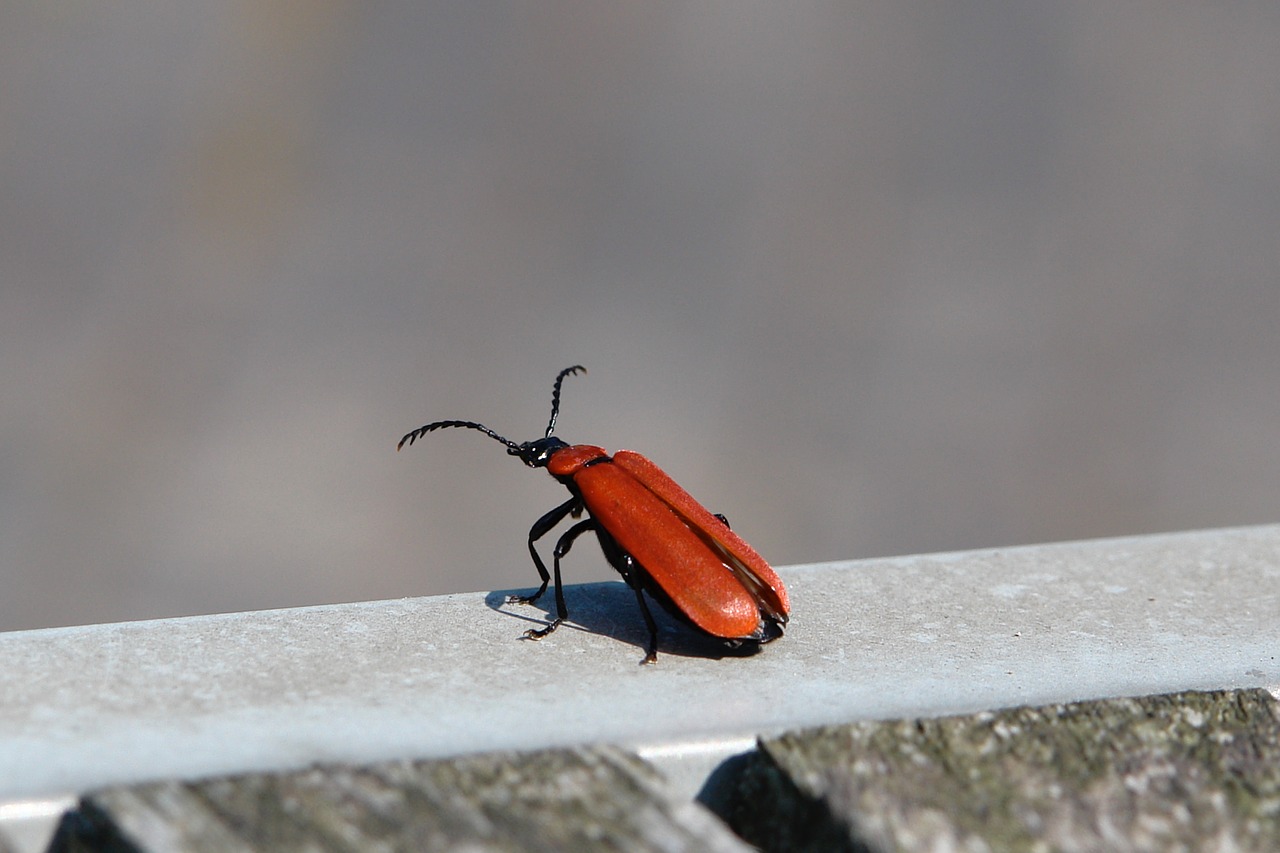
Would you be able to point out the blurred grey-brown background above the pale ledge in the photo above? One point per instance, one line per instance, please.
(868, 277)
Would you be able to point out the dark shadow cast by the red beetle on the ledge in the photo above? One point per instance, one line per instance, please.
(610, 609)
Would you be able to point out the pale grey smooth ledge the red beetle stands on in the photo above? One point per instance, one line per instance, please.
(922, 636)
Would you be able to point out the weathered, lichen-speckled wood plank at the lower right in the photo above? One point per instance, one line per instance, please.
(1190, 772)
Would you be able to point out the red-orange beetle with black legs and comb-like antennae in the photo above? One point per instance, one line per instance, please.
(652, 532)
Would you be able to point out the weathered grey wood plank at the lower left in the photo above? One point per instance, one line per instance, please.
(573, 800)
